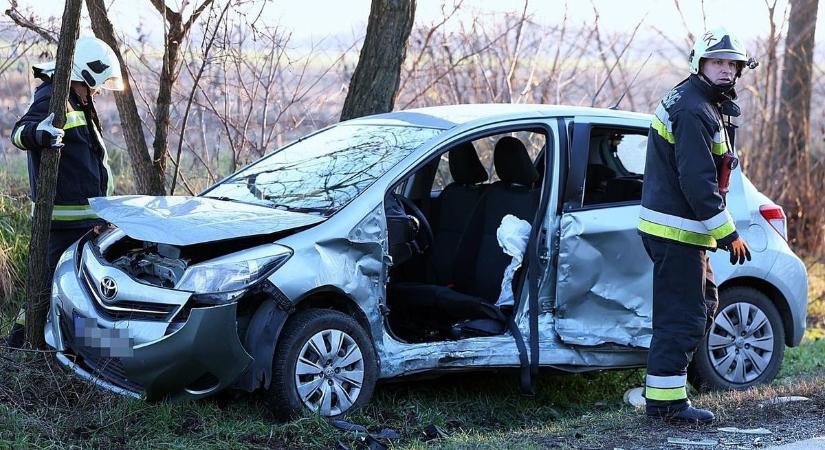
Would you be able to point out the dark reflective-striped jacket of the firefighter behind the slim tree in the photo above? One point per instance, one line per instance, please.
(83, 172)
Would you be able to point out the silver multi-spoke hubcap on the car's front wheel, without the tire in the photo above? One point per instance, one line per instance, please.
(329, 372)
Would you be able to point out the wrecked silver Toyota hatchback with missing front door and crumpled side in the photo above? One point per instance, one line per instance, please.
(377, 248)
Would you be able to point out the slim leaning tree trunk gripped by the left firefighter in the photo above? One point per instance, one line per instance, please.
(38, 284)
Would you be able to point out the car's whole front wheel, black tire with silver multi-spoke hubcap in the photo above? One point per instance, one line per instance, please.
(333, 391)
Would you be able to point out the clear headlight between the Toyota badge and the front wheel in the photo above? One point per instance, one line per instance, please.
(233, 272)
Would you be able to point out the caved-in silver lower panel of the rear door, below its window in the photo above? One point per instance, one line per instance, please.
(604, 288)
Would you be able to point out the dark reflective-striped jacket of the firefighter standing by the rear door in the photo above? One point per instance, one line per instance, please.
(680, 195)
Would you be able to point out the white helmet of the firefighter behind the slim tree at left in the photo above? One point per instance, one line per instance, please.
(95, 64)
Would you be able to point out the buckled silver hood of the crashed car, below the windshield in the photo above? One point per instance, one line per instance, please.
(180, 220)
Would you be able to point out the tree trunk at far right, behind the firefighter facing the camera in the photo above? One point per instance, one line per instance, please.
(795, 97)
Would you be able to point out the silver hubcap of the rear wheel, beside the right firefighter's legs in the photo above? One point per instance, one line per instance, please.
(740, 343)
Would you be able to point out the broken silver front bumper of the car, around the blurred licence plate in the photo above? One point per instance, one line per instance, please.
(162, 361)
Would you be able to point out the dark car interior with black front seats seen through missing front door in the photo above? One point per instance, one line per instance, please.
(442, 220)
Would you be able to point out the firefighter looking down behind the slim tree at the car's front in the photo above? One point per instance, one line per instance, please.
(83, 172)
